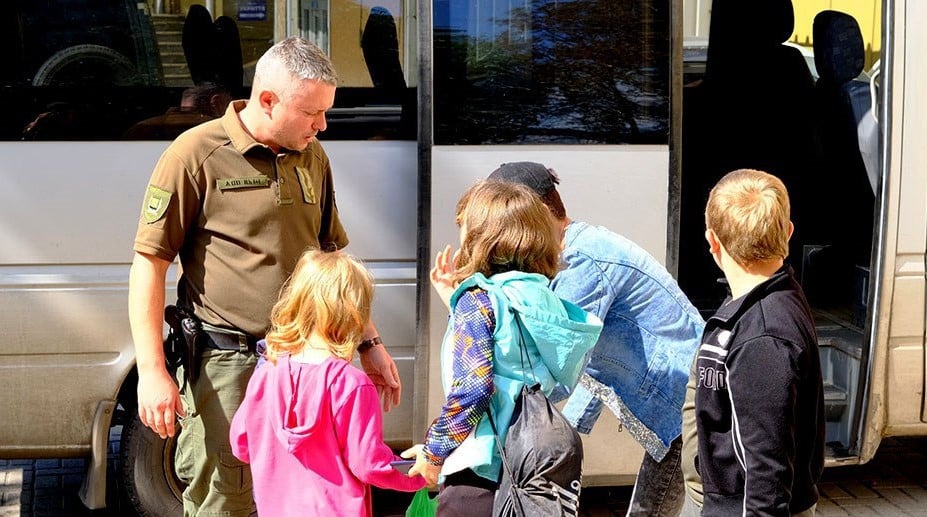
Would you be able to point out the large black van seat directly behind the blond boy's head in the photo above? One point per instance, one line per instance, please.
(751, 110)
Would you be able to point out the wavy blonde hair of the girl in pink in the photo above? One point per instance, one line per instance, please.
(329, 294)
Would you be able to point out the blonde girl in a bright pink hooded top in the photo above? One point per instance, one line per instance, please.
(310, 424)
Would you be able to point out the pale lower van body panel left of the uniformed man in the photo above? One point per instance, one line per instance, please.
(69, 212)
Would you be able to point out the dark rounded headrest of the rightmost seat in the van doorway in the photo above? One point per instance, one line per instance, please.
(839, 54)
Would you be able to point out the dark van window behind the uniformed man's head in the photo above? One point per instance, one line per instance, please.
(116, 69)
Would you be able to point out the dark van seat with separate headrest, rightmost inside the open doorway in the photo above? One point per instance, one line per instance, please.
(843, 215)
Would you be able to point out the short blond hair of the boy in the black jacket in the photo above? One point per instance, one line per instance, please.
(749, 212)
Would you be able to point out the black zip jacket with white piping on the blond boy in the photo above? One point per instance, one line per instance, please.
(759, 403)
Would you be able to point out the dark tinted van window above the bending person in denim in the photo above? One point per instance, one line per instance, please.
(581, 71)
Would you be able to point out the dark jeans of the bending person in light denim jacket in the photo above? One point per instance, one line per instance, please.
(659, 490)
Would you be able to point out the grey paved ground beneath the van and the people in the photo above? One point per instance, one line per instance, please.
(893, 484)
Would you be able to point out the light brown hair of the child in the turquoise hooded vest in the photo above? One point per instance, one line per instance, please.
(508, 229)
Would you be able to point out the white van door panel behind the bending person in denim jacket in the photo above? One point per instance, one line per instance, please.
(623, 188)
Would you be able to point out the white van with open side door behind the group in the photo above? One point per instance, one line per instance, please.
(481, 83)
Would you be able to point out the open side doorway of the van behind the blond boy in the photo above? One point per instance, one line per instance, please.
(789, 87)
